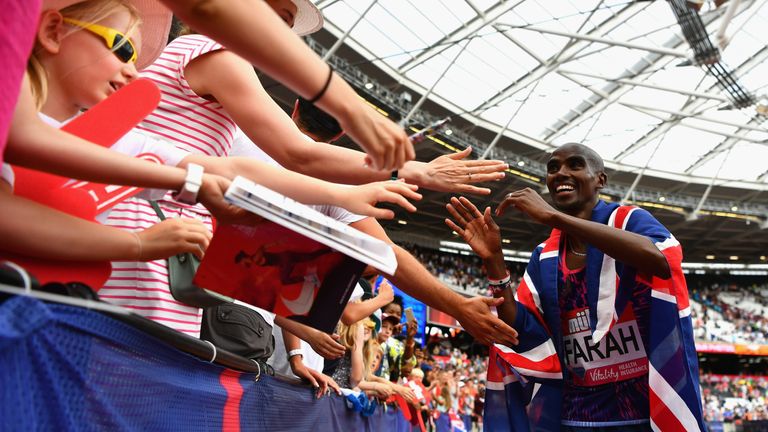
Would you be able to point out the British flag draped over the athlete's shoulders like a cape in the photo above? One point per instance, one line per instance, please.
(524, 384)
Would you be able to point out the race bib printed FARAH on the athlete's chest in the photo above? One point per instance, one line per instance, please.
(618, 357)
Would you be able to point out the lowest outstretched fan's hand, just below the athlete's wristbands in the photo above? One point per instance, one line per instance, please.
(476, 318)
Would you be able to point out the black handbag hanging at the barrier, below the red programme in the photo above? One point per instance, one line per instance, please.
(238, 329)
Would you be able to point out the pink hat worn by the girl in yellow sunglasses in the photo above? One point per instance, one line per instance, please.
(156, 24)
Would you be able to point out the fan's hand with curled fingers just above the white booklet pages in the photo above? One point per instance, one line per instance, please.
(363, 199)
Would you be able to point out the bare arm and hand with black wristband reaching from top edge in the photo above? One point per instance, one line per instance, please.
(274, 48)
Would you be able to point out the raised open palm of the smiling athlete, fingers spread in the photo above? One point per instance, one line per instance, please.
(478, 230)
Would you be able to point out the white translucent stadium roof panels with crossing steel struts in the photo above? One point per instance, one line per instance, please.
(606, 73)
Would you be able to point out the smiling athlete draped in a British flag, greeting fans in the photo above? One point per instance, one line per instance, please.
(602, 311)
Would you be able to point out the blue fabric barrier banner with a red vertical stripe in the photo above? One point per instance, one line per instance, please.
(69, 369)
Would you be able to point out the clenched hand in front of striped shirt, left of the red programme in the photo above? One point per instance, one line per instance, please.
(173, 236)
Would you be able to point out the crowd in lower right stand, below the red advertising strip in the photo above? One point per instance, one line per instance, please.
(731, 398)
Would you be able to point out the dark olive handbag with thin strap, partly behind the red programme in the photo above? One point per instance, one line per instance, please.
(181, 272)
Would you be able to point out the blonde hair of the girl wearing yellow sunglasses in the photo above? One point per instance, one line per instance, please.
(92, 11)
